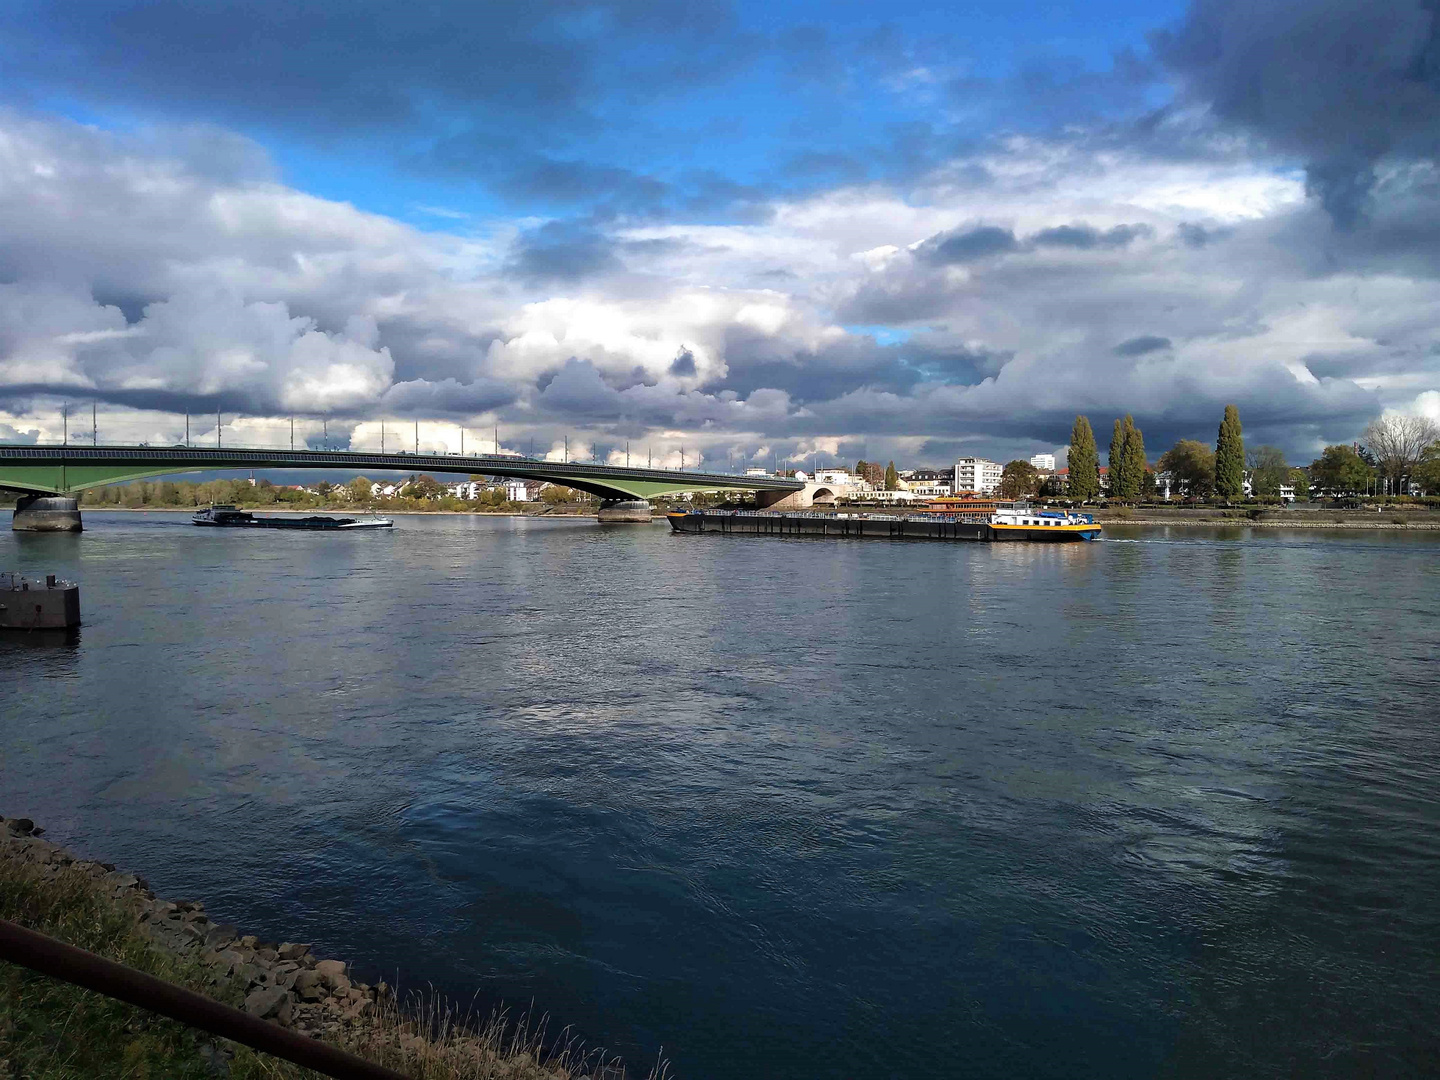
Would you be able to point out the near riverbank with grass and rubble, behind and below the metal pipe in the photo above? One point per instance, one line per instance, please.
(51, 1030)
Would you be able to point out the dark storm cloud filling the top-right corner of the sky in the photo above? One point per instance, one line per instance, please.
(1343, 84)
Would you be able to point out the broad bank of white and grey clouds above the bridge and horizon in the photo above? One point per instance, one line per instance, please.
(902, 323)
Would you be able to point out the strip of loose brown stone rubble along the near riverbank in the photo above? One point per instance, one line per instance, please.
(284, 983)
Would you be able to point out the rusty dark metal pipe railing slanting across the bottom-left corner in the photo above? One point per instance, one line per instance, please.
(61, 961)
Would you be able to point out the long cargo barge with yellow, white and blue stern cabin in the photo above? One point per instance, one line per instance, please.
(1013, 522)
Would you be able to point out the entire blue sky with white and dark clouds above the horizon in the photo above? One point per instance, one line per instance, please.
(744, 233)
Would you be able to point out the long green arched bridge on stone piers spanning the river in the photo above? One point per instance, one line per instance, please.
(61, 472)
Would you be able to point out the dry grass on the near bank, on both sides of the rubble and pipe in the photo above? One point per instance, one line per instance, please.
(51, 1030)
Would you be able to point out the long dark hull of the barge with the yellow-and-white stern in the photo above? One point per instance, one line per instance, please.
(865, 528)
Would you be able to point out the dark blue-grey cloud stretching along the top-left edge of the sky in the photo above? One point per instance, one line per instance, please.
(361, 64)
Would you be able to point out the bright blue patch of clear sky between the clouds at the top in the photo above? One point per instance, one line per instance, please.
(786, 99)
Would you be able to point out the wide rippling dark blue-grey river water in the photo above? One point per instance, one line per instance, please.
(1160, 806)
